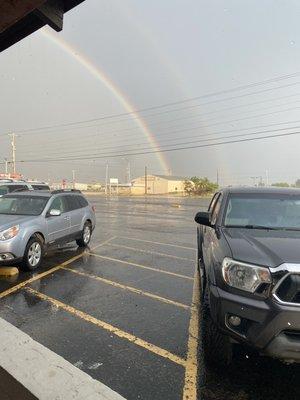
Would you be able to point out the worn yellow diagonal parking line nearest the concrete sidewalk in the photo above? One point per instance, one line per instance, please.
(116, 331)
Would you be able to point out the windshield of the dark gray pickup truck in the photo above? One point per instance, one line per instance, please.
(269, 211)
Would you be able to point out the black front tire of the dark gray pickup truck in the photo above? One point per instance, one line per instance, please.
(216, 347)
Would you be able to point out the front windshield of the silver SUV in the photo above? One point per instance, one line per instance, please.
(22, 205)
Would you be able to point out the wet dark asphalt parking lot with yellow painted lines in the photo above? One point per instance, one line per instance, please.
(124, 310)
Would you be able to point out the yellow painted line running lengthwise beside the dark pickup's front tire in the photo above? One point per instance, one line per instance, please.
(191, 370)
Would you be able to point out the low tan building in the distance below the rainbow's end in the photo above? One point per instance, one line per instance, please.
(158, 184)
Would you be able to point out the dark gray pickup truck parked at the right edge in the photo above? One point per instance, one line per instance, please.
(249, 261)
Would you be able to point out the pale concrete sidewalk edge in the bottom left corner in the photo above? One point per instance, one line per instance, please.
(30, 371)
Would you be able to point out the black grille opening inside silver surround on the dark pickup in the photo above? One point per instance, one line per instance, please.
(288, 290)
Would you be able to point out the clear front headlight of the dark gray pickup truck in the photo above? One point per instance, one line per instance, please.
(244, 276)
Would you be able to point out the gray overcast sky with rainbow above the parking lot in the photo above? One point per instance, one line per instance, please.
(154, 53)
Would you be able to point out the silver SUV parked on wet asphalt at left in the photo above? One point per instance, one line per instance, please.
(33, 221)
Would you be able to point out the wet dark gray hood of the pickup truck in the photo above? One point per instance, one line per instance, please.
(264, 247)
